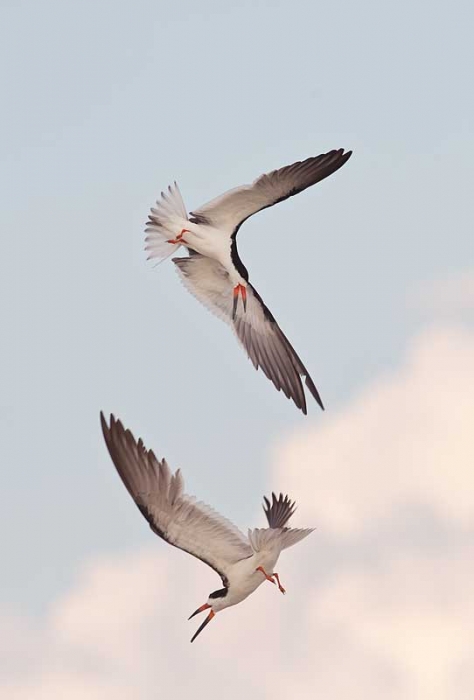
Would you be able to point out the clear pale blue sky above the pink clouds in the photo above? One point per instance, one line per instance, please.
(103, 105)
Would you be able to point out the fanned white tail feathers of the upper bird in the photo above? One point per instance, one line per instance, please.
(165, 222)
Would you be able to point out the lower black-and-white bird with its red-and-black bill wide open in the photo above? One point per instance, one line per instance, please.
(242, 563)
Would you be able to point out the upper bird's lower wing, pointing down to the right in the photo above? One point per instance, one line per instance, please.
(256, 328)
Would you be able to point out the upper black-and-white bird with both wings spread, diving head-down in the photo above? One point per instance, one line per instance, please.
(214, 273)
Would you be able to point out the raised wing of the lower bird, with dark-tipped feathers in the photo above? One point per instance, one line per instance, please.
(175, 517)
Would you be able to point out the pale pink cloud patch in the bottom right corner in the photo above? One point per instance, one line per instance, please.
(416, 612)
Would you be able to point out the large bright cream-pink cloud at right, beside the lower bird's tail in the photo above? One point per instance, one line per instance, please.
(407, 439)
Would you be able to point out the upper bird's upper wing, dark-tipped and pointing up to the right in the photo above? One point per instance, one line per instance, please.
(229, 211)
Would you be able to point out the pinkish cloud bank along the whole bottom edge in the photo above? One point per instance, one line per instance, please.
(399, 628)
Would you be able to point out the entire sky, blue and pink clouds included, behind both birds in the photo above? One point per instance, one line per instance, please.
(371, 276)
